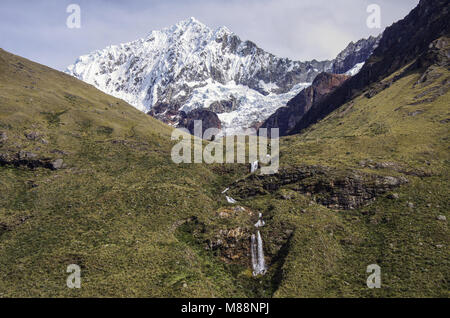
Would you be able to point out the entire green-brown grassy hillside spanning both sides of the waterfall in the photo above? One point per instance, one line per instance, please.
(139, 225)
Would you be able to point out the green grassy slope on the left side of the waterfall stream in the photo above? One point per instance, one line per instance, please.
(113, 209)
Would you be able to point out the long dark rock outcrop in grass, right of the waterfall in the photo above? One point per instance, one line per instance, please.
(329, 187)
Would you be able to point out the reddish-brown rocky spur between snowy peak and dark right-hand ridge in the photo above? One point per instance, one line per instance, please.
(285, 118)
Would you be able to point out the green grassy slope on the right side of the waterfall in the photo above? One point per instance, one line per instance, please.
(402, 131)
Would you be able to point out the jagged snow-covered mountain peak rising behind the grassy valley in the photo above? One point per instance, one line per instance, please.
(190, 66)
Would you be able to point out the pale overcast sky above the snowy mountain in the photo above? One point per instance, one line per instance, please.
(298, 29)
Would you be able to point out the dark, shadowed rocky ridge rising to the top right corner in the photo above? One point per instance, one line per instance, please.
(404, 42)
